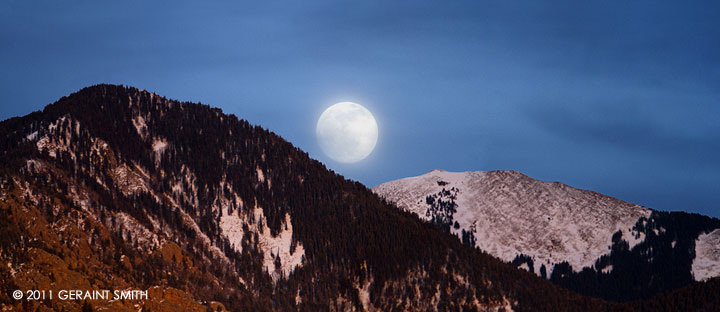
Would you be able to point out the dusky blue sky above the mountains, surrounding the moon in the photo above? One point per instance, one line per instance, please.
(619, 97)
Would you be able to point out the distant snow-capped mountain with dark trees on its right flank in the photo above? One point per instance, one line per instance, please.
(591, 243)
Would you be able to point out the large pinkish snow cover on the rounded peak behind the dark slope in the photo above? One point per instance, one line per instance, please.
(510, 213)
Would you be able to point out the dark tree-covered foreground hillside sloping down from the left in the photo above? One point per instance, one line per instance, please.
(117, 188)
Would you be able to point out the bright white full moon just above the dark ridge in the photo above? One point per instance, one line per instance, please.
(347, 132)
